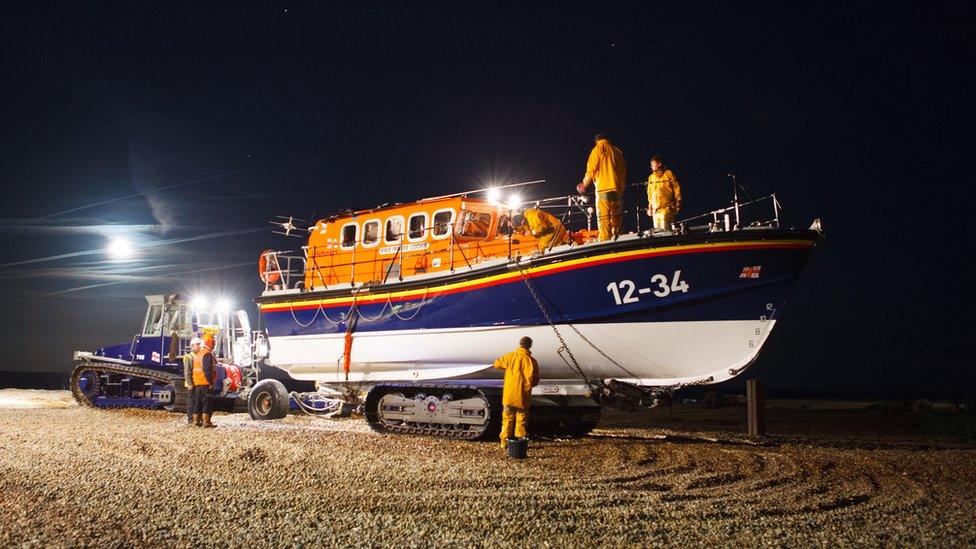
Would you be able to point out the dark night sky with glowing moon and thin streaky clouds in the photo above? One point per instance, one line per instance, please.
(187, 127)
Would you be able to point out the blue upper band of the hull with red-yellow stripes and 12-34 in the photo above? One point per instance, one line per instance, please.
(716, 290)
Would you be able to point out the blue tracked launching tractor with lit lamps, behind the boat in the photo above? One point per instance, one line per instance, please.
(147, 371)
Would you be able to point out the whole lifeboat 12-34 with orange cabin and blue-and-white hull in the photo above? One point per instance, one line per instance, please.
(432, 291)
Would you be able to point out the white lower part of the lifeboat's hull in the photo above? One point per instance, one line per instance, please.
(645, 353)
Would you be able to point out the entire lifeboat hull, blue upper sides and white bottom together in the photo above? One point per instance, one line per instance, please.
(654, 311)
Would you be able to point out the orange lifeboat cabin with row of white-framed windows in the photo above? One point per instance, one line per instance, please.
(430, 236)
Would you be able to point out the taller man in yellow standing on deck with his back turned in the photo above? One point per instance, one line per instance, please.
(606, 167)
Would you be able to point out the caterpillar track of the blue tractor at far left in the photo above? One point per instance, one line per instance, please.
(105, 385)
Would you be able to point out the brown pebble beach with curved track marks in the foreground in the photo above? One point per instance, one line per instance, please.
(75, 476)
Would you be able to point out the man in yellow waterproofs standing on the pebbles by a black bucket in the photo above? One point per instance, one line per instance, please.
(521, 375)
